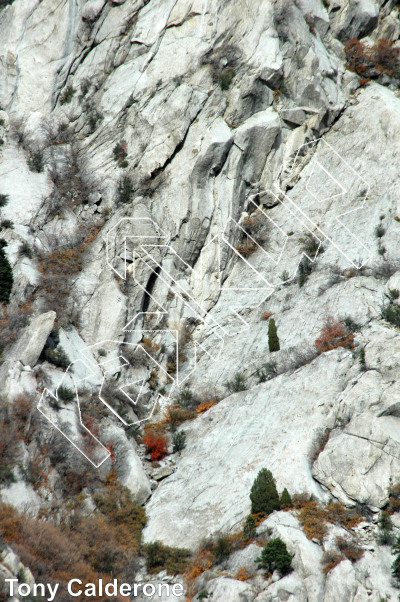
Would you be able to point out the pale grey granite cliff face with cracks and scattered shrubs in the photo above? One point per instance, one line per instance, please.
(173, 173)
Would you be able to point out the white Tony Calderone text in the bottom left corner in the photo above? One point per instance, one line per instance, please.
(76, 588)
